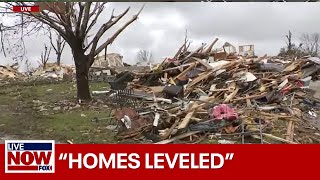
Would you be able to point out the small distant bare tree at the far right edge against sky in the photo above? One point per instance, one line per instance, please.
(310, 43)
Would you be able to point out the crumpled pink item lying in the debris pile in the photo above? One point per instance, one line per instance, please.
(223, 111)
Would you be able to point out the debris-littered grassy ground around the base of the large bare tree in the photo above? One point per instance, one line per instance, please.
(49, 111)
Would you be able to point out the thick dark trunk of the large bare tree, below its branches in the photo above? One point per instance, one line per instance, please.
(82, 69)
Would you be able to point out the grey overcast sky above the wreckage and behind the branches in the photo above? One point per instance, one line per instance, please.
(161, 27)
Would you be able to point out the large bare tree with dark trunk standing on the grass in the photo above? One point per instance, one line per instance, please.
(74, 21)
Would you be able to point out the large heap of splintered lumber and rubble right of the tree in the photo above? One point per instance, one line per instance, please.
(217, 95)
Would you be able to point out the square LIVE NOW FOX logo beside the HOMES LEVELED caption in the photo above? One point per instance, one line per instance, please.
(29, 156)
